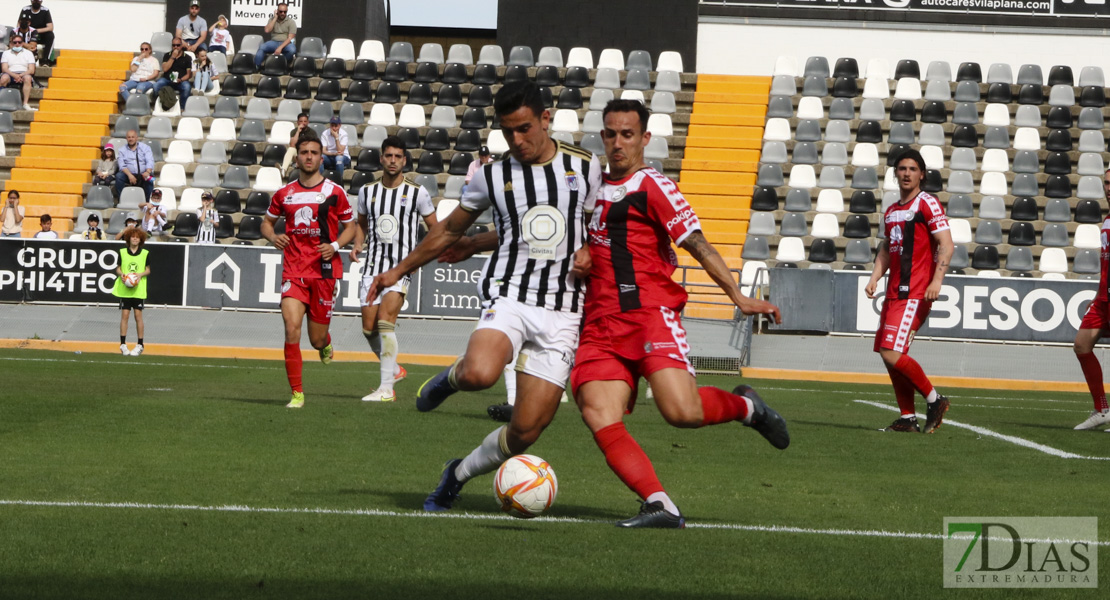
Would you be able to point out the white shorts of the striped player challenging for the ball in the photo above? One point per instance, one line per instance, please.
(546, 340)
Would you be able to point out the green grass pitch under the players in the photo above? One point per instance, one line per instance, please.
(155, 477)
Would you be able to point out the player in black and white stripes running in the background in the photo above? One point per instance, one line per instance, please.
(389, 221)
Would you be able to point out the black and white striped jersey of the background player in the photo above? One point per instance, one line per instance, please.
(393, 217)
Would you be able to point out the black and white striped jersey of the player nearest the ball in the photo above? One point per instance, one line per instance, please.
(539, 211)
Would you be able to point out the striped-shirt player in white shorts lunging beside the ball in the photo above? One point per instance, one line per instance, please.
(533, 288)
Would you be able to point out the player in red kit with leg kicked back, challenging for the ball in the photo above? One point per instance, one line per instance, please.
(632, 318)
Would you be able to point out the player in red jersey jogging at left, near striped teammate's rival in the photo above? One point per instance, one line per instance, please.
(314, 208)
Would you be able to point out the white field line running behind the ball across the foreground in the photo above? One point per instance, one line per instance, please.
(486, 517)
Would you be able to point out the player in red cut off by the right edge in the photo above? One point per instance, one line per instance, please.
(1095, 326)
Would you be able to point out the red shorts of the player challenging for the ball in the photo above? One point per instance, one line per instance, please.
(627, 347)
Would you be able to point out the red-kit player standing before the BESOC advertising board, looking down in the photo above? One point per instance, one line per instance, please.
(916, 250)
